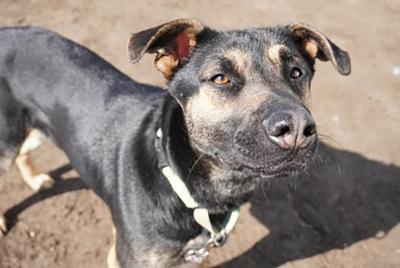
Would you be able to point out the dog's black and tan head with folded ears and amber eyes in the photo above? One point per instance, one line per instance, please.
(244, 93)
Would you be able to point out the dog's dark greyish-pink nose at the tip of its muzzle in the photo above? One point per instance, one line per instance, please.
(290, 129)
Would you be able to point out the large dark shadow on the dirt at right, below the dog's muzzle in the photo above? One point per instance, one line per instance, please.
(347, 198)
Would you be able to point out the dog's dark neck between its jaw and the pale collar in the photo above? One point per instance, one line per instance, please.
(214, 187)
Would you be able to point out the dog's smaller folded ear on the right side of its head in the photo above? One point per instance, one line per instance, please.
(317, 45)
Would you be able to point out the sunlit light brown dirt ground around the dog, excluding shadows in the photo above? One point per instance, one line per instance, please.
(346, 213)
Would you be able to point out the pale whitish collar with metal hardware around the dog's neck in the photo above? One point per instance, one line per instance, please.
(218, 231)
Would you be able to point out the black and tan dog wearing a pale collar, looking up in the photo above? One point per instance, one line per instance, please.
(167, 162)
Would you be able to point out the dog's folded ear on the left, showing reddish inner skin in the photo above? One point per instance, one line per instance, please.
(173, 42)
